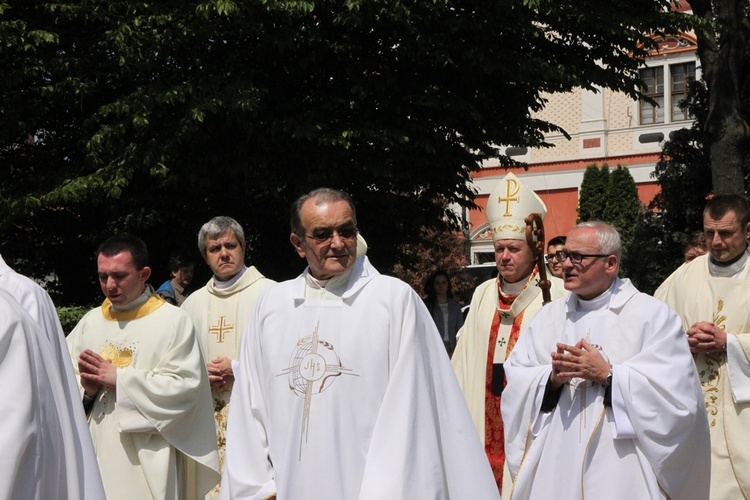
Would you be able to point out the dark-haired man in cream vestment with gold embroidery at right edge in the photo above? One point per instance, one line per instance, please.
(710, 294)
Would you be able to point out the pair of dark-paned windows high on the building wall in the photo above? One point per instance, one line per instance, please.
(680, 75)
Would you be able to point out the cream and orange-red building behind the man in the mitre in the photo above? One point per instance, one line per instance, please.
(605, 127)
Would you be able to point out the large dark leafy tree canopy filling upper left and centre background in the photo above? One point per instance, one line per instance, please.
(152, 117)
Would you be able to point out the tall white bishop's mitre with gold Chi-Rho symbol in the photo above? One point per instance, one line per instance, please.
(509, 204)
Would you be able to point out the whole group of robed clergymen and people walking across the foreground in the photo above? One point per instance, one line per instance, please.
(345, 384)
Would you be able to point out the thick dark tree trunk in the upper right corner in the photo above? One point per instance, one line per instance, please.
(721, 49)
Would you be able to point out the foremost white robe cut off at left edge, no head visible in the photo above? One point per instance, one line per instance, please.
(40, 442)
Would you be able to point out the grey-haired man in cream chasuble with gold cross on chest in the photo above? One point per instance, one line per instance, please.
(221, 311)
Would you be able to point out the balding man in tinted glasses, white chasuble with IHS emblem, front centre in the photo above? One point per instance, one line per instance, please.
(345, 390)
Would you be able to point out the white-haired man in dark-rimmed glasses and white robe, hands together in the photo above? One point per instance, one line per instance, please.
(602, 389)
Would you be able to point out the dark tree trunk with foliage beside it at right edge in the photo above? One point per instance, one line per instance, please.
(712, 156)
